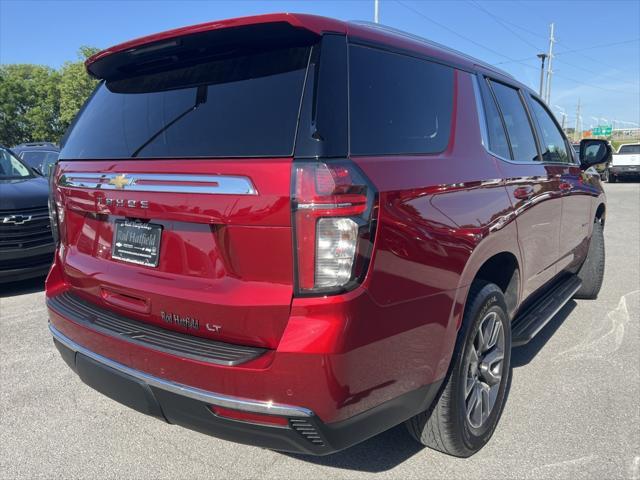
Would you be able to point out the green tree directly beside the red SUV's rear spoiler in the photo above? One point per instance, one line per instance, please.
(75, 86)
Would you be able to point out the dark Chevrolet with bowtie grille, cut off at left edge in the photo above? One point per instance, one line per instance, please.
(26, 243)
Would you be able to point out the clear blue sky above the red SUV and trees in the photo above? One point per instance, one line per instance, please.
(597, 53)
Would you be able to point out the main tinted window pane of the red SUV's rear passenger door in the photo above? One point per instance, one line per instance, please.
(523, 144)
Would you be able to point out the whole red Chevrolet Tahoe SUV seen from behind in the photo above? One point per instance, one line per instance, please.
(296, 232)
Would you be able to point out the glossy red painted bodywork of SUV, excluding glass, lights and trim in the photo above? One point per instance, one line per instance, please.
(229, 259)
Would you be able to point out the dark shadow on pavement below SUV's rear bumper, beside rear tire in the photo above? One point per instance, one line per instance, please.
(378, 454)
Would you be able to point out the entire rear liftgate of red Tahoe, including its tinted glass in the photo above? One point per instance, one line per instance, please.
(175, 186)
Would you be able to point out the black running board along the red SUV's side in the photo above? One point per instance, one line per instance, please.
(534, 318)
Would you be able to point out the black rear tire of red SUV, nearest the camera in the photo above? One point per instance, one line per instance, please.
(446, 426)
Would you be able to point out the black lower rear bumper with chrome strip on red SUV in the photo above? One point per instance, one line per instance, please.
(190, 407)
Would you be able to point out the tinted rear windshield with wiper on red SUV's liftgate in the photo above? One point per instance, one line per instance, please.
(240, 106)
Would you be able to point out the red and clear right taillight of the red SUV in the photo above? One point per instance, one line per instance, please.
(334, 223)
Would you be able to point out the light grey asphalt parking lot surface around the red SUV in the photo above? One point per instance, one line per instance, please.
(572, 410)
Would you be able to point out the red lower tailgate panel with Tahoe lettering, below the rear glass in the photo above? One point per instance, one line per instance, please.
(224, 267)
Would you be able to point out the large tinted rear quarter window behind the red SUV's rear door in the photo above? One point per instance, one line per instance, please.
(398, 104)
